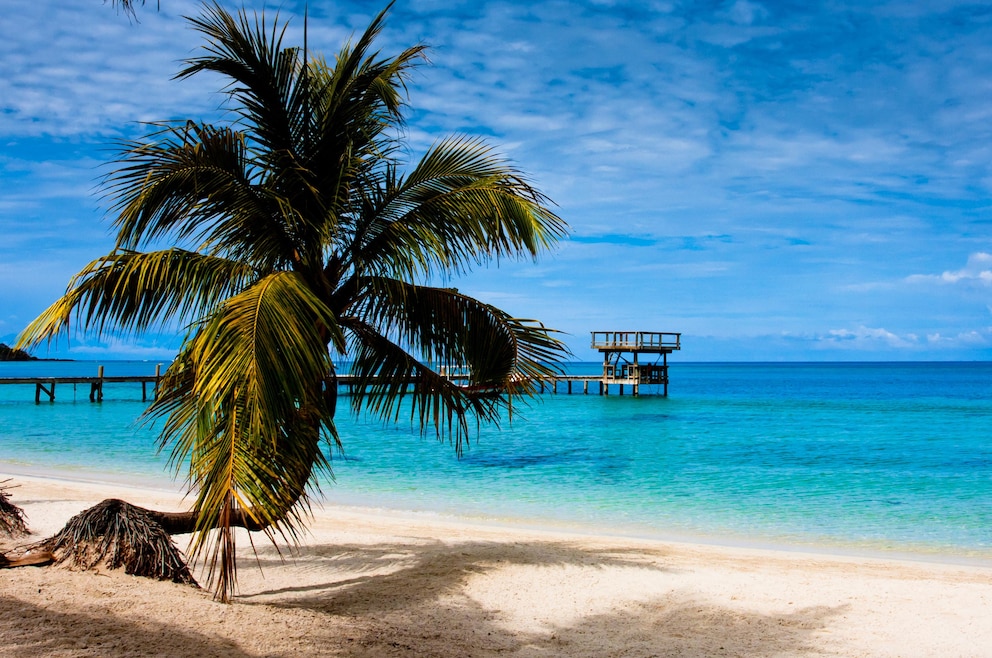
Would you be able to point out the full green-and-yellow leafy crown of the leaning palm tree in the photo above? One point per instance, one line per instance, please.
(299, 234)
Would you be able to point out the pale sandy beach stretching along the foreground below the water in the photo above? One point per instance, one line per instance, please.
(373, 583)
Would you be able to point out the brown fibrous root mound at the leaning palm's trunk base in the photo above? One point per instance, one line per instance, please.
(117, 534)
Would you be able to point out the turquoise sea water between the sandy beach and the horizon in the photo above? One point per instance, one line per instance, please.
(864, 457)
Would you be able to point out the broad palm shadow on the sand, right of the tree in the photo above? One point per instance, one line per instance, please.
(410, 599)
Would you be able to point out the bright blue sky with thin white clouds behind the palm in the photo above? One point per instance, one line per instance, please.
(776, 180)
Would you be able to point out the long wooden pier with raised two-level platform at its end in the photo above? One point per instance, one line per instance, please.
(622, 367)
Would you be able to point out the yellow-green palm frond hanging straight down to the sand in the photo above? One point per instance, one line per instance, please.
(243, 407)
